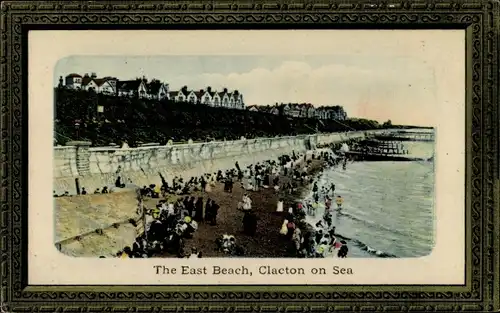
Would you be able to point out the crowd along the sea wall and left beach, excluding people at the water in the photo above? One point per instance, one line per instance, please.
(174, 222)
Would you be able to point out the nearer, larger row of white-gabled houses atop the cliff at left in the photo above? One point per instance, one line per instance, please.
(153, 89)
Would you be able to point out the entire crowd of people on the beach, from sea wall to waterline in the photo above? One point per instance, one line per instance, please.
(172, 222)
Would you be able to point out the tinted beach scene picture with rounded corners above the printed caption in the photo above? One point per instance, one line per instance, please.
(244, 156)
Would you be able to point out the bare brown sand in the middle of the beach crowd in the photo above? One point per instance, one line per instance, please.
(267, 241)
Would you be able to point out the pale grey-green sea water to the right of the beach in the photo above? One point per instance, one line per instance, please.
(388, 208)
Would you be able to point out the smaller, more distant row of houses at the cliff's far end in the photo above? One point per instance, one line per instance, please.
(303, 110)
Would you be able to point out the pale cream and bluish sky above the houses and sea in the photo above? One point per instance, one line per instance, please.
(381, 86)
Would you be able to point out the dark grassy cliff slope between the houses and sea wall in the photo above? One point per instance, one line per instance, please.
(141, 120)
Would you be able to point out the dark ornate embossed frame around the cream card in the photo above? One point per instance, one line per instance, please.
(480, 20)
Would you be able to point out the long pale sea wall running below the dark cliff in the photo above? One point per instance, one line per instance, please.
(97, 167)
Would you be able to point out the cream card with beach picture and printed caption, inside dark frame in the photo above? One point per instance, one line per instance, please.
(327, 162)
